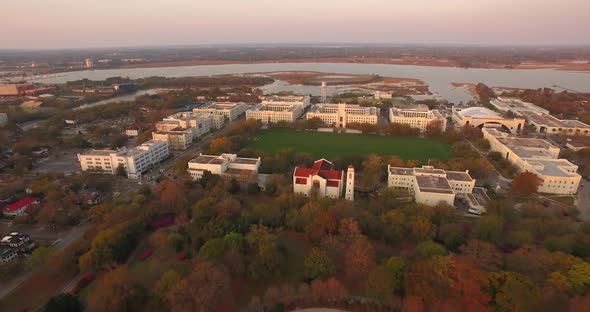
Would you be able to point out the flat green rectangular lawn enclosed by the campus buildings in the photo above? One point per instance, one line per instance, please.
(336, 145)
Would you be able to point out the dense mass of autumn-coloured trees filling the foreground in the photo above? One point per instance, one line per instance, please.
(377, 254)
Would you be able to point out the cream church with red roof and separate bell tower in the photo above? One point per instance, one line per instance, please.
(323, 181)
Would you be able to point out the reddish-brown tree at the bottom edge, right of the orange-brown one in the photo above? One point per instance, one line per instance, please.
(206, 288)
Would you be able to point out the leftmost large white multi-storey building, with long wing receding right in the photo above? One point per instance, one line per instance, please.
(136, 161)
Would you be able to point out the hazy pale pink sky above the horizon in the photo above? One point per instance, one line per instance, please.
(109, 23)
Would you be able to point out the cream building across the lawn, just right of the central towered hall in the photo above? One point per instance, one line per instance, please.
(416, 116)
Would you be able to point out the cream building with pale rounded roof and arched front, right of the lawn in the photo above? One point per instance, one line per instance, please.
(485, 118)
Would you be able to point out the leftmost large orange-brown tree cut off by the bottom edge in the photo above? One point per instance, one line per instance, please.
(116, 291)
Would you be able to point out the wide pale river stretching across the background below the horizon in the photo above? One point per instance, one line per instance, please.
(439, 78)
